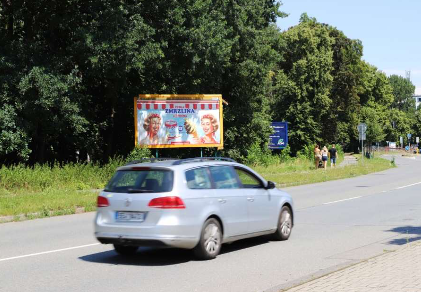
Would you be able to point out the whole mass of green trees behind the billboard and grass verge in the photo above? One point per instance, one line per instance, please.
(69, 70)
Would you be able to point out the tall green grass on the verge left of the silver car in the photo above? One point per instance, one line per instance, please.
(41, 190)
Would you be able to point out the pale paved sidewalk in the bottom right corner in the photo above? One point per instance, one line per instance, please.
(396, 271)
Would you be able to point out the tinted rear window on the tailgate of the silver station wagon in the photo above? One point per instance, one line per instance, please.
(141, 181)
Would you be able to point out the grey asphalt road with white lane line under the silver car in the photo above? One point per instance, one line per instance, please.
(338, 223)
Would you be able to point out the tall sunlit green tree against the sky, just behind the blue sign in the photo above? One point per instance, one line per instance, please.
(305, 82)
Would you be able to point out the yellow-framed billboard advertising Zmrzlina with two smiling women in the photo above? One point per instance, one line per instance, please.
(178, 120)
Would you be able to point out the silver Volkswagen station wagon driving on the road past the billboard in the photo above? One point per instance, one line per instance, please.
(195, 203)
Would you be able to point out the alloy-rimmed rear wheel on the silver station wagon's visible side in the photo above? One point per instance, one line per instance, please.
(210, 242)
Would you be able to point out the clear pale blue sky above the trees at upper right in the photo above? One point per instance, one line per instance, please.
(389, 29)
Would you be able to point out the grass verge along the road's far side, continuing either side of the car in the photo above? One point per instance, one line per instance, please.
(28, 193)
